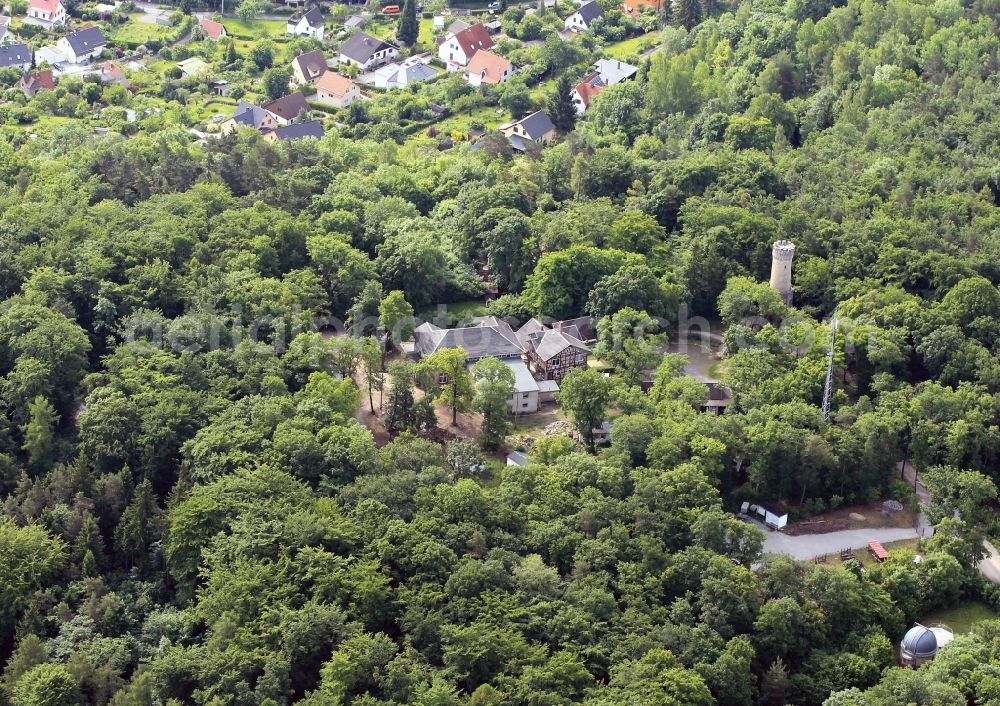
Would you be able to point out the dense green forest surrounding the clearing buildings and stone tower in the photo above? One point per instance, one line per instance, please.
(193, 515)
